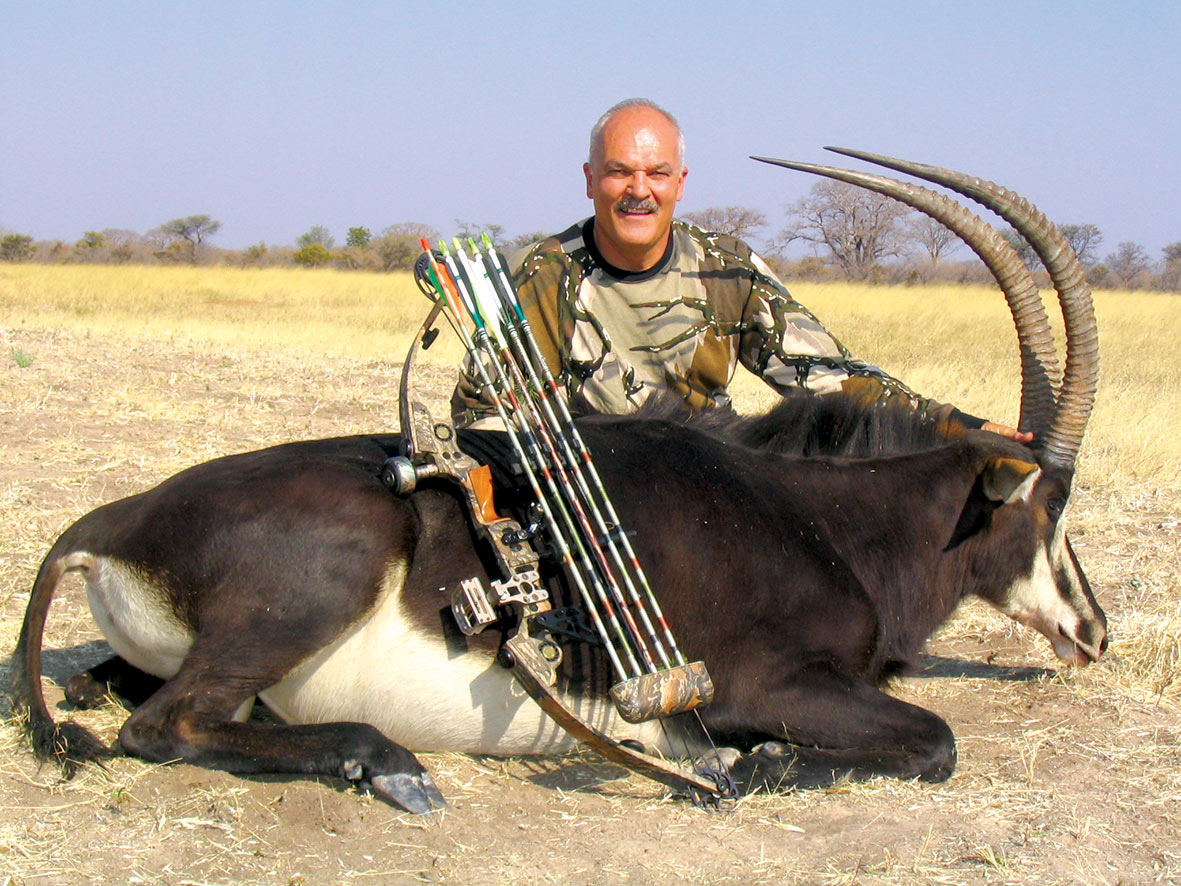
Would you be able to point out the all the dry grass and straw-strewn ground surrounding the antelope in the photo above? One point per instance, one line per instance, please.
(125, 376)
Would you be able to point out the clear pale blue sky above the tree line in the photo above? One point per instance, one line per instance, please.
(277, 116)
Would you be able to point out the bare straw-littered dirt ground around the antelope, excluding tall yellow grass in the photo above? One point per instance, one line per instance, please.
(1065, 777)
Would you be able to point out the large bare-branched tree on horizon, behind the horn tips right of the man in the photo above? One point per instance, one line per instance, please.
(856, 226)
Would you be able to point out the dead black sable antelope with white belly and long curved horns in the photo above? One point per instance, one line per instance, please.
(806, 556)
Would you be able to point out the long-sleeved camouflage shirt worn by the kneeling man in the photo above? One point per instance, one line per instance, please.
(618, 337)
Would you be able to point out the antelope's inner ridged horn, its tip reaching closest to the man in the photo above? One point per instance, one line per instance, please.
(1040, 361)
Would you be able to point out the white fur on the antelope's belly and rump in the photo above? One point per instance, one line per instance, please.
(384, 672)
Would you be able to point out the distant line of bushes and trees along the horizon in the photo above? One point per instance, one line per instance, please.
(852, 234)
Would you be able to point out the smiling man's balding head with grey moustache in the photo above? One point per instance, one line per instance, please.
(636, 175)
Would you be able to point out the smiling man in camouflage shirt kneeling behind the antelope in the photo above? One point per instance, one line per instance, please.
(632, 302)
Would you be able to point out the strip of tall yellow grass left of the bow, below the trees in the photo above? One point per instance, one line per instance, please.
(330, 312)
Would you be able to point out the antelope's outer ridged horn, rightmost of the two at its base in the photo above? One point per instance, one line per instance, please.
(1081, 376)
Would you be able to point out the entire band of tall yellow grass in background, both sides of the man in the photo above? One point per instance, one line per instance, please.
(952, 343)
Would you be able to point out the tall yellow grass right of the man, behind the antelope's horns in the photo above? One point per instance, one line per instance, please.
(957, 346)
